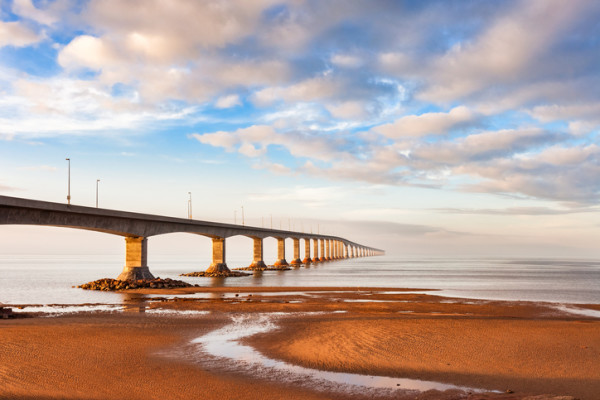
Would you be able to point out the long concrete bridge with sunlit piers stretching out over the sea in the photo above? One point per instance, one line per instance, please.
(137, 228)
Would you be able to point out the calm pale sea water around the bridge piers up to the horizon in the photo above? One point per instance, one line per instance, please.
(48, 279)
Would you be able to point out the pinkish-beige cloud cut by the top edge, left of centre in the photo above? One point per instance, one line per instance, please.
(182, 27)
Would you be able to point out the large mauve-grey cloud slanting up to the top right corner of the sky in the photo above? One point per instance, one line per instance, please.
(504, 53)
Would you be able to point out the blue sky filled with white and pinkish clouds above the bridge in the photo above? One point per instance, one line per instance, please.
(430, 128)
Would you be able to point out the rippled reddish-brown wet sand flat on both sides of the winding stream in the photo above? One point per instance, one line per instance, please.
(529, 348)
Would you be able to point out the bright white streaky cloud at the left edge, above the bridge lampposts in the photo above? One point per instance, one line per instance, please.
(61, 106)
